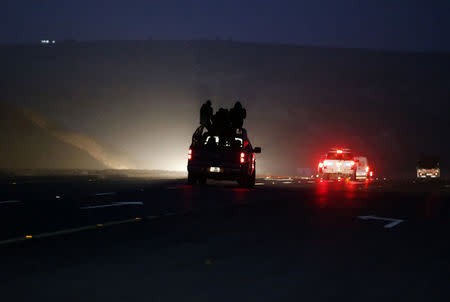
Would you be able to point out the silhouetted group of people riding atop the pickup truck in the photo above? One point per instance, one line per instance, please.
(224, 121)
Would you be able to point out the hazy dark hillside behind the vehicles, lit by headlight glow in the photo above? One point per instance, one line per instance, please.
(144, 96)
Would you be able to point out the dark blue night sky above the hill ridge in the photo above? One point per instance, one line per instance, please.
(395, 25)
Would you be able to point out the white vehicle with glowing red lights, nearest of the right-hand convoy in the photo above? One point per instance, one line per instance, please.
(338, 164)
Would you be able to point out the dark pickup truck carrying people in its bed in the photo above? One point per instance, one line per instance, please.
(223, 158)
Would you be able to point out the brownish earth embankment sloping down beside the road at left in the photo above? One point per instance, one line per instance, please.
(30, 141)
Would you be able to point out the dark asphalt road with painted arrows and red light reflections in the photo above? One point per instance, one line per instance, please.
(129, 240)
